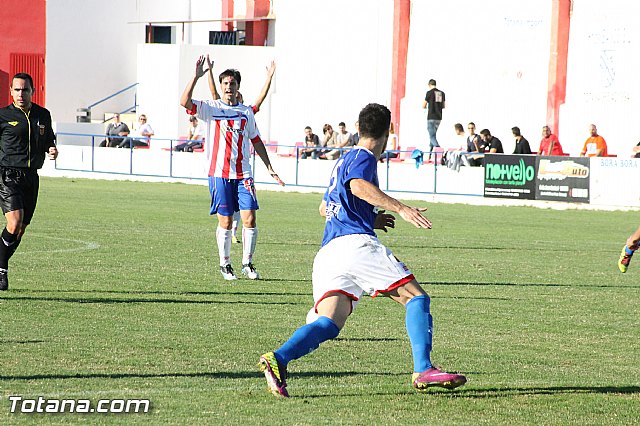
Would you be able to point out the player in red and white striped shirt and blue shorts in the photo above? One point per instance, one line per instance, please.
(231, 127)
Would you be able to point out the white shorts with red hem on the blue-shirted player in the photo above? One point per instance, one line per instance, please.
(356, 264)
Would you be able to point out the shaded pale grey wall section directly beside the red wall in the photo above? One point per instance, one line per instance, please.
(90, 54)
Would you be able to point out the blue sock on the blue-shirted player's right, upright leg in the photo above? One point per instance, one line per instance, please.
(420, 330)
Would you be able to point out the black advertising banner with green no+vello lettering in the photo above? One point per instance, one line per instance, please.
(510, 176)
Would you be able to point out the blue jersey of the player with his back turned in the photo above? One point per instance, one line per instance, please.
(346, 213)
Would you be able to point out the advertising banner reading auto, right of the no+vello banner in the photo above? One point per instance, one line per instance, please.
(563, 179)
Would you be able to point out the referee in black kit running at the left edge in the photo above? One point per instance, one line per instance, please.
(26, 137)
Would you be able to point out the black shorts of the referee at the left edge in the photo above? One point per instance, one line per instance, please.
(19, 191)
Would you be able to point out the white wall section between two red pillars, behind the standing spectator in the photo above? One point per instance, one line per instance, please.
(491, 59)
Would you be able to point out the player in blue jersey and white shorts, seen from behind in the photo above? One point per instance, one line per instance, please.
(352, 261)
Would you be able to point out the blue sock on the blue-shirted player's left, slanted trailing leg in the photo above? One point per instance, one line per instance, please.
(307, 339)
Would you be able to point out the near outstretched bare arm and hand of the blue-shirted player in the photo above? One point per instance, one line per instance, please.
(370, 193)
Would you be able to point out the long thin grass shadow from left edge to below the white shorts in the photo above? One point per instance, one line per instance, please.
(105, 300)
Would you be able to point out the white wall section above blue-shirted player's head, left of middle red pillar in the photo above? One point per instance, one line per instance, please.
(333, 58)
